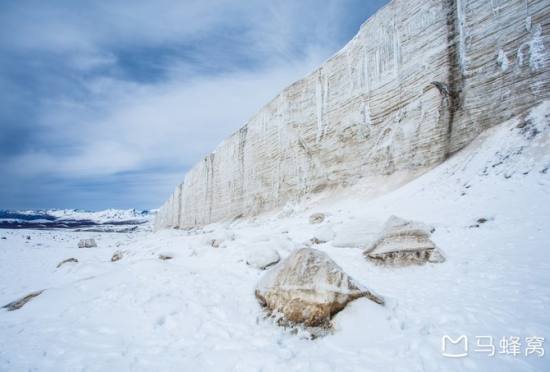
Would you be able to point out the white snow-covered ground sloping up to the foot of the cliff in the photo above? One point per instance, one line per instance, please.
(197, 311)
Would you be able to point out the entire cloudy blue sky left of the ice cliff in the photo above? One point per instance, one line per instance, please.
(108, 103)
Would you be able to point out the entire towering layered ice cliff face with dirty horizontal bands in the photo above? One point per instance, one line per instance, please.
(419, 81)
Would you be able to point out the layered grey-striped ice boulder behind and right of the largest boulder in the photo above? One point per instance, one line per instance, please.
(403, 242)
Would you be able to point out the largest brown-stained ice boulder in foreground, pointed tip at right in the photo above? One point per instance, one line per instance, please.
(308, 288)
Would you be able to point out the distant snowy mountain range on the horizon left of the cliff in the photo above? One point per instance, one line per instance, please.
(115, 220)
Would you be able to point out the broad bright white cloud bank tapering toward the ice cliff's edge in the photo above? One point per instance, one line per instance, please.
(132, 126)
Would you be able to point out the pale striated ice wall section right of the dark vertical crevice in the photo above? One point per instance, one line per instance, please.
(504, 62)
